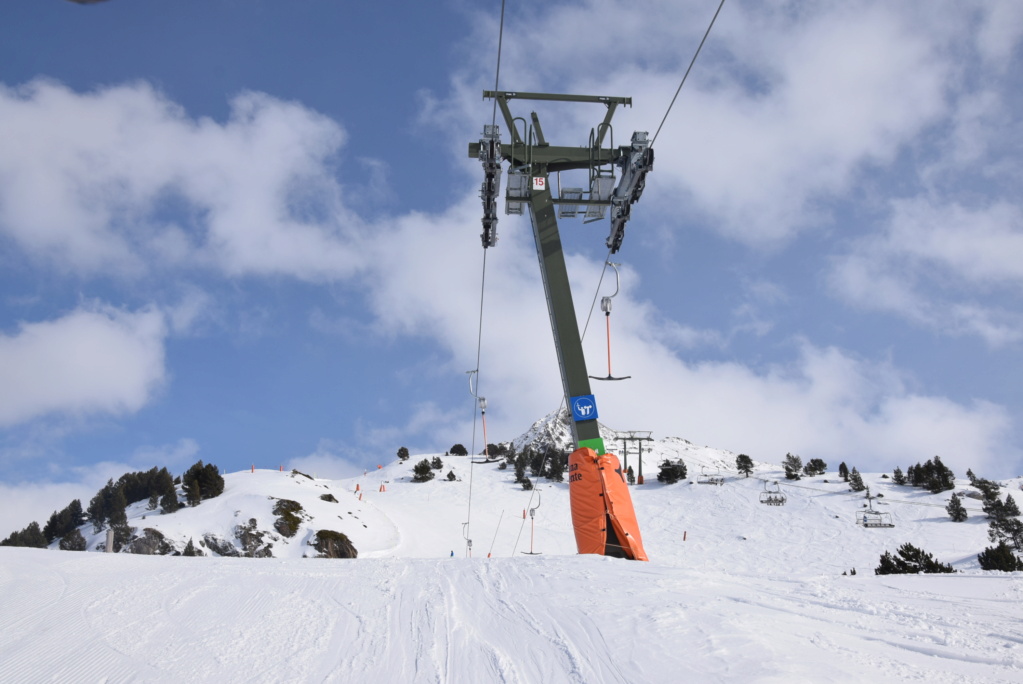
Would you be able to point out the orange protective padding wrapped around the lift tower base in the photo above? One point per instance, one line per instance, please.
(603, 516)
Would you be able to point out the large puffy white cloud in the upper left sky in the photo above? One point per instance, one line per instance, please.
(84, 179)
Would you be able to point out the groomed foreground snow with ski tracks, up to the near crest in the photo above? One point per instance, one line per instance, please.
(569, 619)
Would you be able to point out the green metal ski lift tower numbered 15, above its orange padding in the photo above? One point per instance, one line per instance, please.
(531, 162)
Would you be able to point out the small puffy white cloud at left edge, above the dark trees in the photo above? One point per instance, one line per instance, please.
(94, 360)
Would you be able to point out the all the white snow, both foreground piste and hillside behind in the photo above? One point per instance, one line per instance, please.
(735, 591)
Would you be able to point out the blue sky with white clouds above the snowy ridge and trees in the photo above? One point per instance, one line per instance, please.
(248, 233)
